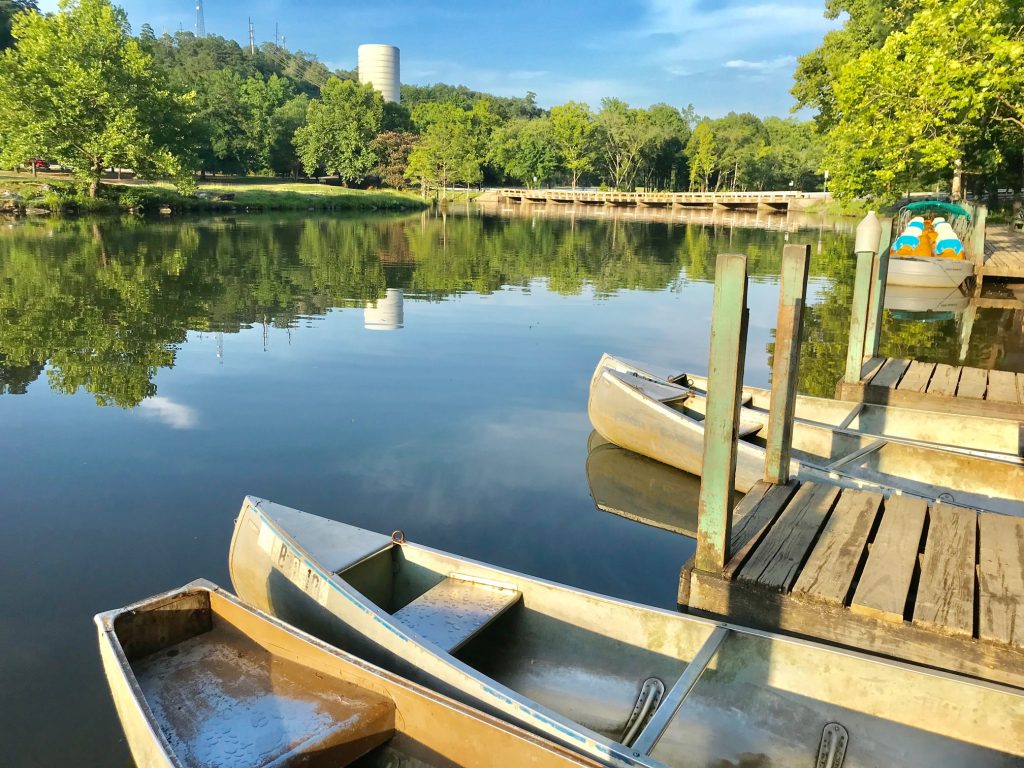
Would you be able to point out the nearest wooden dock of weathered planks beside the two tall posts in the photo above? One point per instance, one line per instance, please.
(938, 585)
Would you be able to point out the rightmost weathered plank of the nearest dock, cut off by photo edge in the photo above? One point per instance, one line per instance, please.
(1001, 579)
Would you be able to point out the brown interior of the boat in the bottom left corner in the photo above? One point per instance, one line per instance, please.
(226, 688)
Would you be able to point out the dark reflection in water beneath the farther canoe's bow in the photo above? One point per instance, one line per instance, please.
(643, 490)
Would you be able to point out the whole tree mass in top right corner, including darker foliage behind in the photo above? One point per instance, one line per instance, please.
(913, 96)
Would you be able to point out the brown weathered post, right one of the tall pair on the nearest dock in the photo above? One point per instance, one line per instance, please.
(786, 364)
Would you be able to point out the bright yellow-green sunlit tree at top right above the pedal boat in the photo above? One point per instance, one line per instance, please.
(925, 106)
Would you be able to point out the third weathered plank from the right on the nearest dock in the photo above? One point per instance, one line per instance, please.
(886, 580)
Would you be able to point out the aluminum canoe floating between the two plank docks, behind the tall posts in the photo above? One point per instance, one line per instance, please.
(884, 449)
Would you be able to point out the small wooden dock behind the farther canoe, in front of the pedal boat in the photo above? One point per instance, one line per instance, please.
(936, 387)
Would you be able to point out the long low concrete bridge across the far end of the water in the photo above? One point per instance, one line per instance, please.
(772, 201)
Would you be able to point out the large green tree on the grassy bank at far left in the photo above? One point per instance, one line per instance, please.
(79, 90)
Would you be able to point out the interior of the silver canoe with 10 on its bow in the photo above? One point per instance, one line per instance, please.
(680, 690)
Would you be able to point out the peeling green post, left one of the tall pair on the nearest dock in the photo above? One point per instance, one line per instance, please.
(726, 382)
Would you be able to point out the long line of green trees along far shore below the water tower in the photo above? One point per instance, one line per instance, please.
(178, 106)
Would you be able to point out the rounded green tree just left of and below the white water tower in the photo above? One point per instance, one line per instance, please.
(339, 132)
